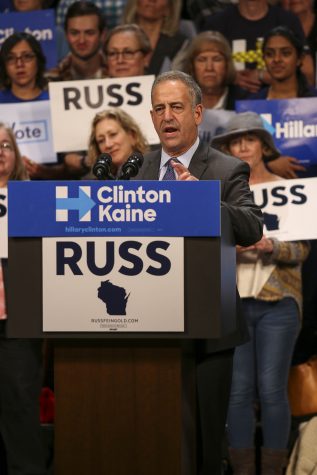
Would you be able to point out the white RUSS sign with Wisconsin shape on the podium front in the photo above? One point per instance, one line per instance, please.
(125, 285)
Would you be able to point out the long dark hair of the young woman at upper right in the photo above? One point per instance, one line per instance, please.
(303, 89)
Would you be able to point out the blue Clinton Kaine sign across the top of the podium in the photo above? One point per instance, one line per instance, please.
(116, 208)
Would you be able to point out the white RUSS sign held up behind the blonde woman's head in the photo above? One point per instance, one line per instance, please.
(75, 104)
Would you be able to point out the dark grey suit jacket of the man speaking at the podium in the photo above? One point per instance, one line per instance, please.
(246, 218)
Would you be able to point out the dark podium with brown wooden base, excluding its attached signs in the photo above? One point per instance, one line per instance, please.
(125, 401)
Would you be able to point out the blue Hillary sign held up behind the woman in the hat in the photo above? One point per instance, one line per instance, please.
(293, 124)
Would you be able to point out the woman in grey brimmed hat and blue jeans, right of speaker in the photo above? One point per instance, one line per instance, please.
(269, 284)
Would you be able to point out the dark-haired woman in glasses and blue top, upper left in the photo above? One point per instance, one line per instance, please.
(22, 66)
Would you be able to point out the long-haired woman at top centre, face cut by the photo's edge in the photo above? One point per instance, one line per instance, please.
(160, 21)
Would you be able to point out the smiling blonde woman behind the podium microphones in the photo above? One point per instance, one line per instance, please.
(115, 132)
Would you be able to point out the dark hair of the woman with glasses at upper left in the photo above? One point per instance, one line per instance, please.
(8, 44)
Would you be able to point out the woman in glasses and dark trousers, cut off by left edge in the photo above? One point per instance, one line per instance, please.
(20, 359)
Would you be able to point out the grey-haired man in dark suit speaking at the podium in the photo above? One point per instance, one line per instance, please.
(177, 112)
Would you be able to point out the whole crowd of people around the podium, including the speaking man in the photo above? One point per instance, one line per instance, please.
(205, 56)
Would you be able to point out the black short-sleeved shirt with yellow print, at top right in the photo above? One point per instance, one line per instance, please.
(245, 36)
